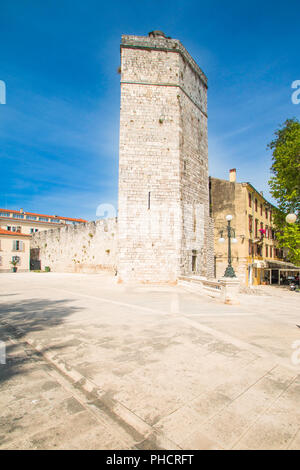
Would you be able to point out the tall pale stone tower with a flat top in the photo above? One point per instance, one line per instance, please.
(164, 224)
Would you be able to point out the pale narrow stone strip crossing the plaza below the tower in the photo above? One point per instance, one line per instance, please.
(184, 318)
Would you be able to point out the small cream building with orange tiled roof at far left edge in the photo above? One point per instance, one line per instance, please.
(14, 251)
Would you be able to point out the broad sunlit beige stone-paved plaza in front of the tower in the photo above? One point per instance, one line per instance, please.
(92, 364)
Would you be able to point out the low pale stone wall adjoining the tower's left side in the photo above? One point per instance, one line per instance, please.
(85, 248)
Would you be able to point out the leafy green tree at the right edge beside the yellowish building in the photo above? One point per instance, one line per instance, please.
(285, 185)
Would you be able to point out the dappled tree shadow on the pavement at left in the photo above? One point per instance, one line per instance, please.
(20, 319)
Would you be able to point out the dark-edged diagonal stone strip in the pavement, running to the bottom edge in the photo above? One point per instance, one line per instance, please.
(121, 411)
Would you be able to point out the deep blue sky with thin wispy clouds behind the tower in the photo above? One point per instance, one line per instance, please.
(59, 59)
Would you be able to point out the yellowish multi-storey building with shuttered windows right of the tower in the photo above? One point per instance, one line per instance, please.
(256, 258)
